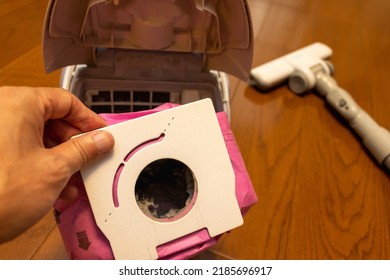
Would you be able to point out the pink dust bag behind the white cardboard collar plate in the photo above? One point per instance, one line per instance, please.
(84, 240)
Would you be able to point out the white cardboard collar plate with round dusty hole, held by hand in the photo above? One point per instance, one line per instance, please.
(189, 134)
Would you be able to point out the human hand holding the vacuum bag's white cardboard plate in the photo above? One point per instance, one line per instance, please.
(37, 156)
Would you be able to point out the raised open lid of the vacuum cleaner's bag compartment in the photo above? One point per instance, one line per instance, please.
(219, 30)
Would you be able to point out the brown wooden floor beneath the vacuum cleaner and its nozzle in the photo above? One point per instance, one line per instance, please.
(321, 194)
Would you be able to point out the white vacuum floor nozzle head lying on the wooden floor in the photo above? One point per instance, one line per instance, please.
(279, 70)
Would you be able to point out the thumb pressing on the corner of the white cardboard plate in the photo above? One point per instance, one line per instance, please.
(80, 150)
